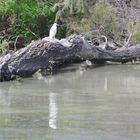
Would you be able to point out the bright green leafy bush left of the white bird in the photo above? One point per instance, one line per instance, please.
(29, 18)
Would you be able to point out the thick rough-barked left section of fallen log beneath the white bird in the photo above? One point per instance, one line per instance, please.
(46, 54)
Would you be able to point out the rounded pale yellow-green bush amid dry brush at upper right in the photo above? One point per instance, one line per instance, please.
(105, 16)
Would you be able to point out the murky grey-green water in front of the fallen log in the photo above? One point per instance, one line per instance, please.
(100, 103)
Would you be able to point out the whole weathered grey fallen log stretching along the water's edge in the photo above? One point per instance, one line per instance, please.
(50, 54)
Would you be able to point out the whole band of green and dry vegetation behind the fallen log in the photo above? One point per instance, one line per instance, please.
(32, 19)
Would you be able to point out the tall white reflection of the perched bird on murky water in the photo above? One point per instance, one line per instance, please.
(52, 111)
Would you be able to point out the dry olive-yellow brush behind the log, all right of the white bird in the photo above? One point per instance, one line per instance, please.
(83, 16)
